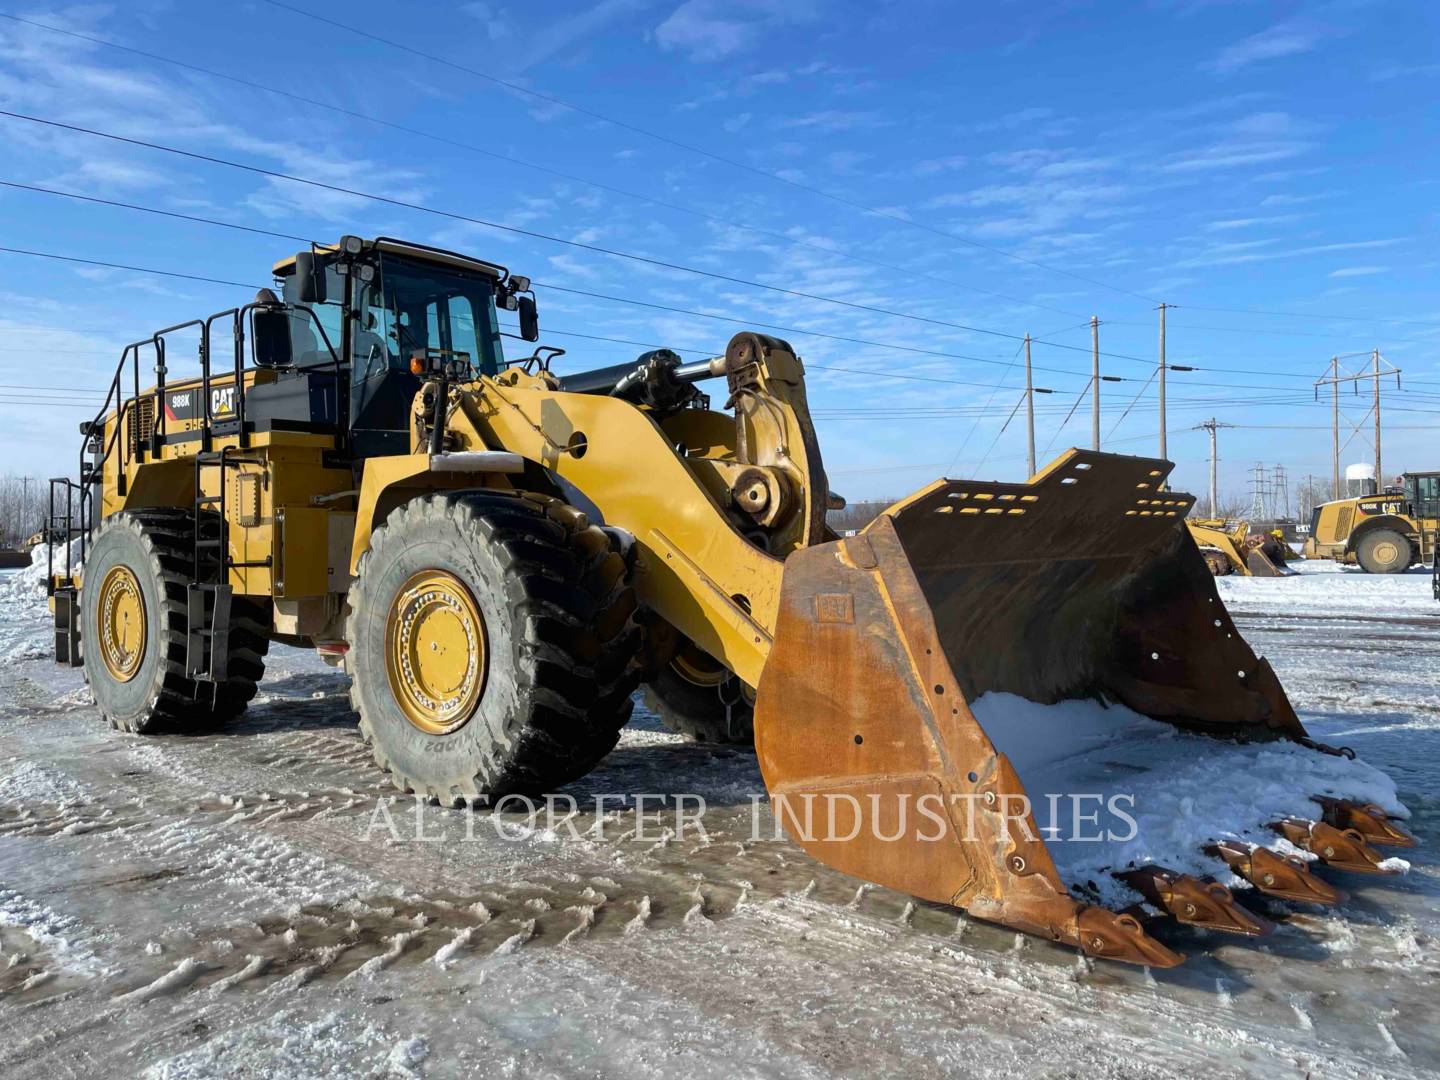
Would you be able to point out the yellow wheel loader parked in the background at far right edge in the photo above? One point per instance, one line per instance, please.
(1385, 534)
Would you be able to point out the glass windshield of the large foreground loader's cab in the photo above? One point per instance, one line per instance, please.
(414, 307)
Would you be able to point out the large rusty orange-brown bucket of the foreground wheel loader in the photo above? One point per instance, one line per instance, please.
(1082, 584)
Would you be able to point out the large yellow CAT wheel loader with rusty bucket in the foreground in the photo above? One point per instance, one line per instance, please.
(499, 552)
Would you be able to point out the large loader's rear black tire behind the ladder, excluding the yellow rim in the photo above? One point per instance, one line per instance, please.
(158, 546)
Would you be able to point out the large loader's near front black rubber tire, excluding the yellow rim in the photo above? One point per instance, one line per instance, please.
(557, 600)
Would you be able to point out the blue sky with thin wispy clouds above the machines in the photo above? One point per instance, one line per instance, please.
(1010, 168)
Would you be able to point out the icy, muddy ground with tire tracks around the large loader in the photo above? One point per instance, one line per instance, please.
(237, 905)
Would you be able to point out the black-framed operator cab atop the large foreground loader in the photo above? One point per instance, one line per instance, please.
(392, 309)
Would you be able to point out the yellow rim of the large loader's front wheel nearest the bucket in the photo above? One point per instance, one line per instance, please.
(436, 652)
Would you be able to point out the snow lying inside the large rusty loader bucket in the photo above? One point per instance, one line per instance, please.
(1112, 788)
